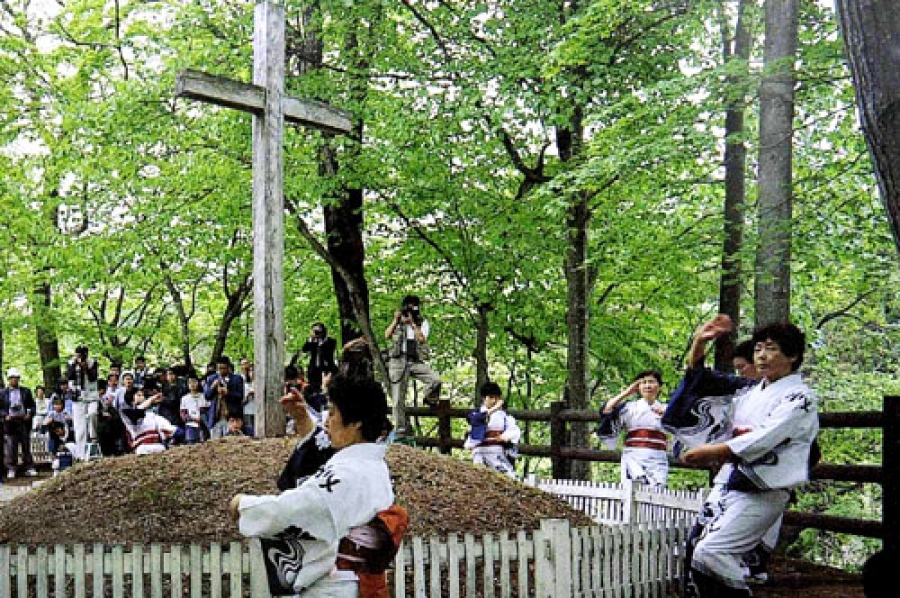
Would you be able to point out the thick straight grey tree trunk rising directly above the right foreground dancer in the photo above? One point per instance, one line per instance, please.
(776, 99)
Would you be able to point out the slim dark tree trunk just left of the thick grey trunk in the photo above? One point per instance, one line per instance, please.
(735, 49)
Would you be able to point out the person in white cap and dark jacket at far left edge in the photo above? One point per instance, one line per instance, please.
(17, 409)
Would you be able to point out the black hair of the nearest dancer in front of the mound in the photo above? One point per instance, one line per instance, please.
(360, 399)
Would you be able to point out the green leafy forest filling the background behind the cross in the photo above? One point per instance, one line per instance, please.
(571, 187)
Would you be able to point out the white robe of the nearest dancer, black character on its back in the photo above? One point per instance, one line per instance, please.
(348, 491)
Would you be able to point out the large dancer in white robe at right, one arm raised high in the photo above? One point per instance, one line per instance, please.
(761, 436)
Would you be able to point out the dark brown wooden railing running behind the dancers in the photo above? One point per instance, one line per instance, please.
(558, 416)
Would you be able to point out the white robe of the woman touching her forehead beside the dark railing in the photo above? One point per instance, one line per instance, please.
(645, 465)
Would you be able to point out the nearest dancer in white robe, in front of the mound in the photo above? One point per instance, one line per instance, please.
(306, 523)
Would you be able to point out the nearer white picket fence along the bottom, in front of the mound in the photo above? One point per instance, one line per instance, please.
(554, 561)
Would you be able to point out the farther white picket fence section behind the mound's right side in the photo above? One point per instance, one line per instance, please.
(625, 503)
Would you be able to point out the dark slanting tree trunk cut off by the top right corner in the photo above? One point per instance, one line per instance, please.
(871, 31)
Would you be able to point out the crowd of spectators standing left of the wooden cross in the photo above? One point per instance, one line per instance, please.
(90, 413)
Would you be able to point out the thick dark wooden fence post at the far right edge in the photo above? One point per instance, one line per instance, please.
(890, 486)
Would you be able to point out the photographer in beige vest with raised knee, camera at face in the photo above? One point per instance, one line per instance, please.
(408, 332)
